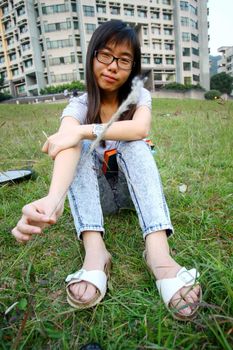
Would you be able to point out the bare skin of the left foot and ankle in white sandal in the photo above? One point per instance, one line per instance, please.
(97, 260)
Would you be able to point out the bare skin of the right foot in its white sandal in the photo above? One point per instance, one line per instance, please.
(168, 268)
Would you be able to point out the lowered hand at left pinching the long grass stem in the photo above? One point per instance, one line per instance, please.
(37, 216)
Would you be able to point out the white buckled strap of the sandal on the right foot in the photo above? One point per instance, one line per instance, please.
(167, 287)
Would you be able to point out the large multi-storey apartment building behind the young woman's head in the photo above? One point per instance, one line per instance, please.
(44, 42)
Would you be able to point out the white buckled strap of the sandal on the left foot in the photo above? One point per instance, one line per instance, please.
(96, 277)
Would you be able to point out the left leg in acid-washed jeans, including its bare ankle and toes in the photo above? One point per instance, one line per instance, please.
(86, 209)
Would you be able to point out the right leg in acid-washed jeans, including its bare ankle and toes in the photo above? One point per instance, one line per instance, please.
(146, 191)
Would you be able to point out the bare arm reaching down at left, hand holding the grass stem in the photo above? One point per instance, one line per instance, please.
(45, 211)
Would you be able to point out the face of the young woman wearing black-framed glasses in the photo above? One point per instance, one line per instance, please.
(110, 77)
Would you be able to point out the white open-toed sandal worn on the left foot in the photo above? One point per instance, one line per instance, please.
(97, 278)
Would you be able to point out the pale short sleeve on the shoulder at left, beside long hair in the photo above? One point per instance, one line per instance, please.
(77, 108)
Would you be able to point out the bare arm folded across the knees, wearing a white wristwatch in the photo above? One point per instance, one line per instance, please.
(128, 130)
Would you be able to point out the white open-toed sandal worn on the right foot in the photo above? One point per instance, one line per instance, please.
(167, 287)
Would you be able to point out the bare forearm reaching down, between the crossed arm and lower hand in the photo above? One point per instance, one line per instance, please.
(63, 172)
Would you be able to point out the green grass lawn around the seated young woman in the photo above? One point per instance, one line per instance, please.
(194, 145)
